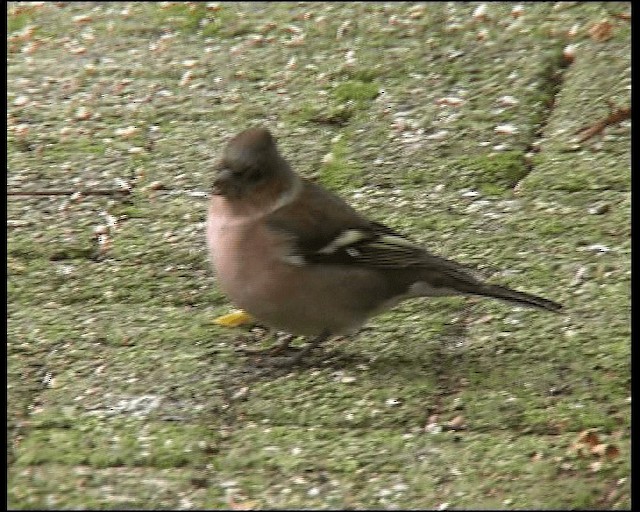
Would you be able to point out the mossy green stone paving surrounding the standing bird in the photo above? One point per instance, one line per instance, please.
(139, 321)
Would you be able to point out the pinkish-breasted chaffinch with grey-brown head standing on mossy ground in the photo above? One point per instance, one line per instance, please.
(298, 258)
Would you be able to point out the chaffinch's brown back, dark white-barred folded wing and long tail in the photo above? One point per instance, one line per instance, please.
(323, 230)
